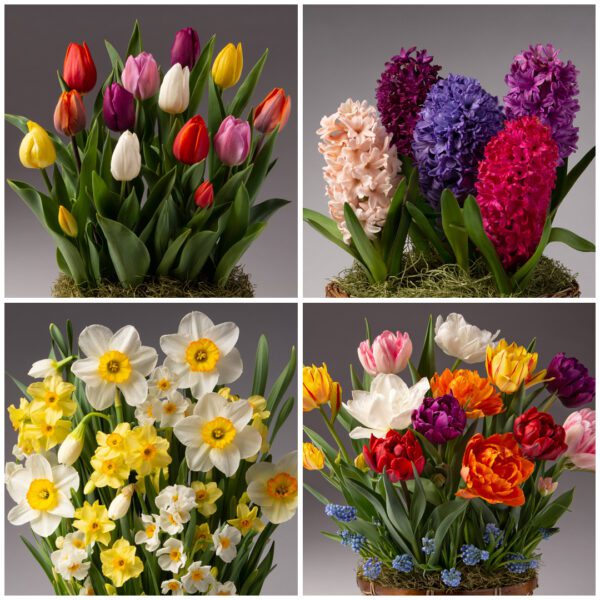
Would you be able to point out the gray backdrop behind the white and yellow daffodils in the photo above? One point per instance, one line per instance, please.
(28, 339)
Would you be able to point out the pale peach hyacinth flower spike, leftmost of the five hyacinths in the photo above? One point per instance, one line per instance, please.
(361, 166)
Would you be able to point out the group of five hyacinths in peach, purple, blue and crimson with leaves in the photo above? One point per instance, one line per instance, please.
(448, 175)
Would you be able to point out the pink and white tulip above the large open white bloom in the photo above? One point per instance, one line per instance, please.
(389, 353)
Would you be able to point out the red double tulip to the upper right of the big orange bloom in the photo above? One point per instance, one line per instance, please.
(539, 436)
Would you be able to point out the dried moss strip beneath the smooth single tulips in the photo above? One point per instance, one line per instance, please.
(238, 286)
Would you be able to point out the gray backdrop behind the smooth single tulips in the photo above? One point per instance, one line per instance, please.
(32, 90)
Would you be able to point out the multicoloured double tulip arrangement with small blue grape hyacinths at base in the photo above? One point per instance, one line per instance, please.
(449, 483)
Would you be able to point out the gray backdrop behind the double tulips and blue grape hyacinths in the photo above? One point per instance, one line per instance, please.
(568, 558)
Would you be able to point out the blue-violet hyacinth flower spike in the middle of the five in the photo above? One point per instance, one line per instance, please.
(457, 120)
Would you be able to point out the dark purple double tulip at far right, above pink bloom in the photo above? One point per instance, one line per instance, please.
(570, 381)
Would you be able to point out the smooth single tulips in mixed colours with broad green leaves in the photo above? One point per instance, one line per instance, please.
(174, 196)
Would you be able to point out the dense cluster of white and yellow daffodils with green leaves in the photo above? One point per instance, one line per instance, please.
(143, 479)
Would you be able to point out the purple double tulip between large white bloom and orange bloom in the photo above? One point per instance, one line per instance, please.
(439, 419)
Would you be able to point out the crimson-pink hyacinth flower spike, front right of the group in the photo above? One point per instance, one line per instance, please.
(514, 188)
